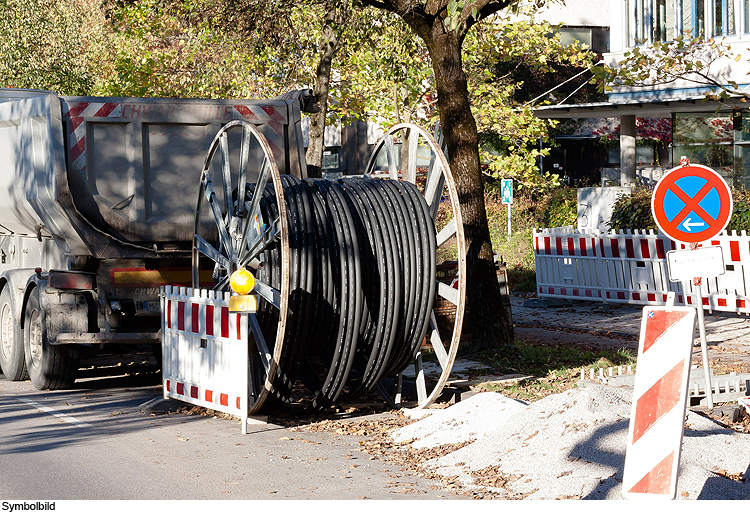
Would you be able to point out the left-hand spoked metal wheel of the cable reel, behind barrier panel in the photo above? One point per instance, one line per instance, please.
(239, 232)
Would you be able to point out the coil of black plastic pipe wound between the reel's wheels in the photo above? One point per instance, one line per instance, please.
(362, 284)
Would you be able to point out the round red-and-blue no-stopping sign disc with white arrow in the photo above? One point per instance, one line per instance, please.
(691, 223)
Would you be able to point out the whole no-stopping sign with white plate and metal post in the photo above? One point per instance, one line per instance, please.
(692, 204)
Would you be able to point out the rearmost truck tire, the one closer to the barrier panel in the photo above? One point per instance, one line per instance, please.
(49, 366)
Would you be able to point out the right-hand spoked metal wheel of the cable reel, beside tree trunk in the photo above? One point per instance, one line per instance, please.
(422, 162)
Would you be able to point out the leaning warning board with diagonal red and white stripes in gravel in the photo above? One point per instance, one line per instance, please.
(659, 401)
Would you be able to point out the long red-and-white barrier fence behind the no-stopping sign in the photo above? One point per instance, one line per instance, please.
(631, 267)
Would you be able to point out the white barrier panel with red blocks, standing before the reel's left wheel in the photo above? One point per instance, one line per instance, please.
(205, 351)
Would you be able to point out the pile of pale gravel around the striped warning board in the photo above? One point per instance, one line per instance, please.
(571, 445)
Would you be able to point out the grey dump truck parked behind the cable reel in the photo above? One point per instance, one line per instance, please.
(97, 205)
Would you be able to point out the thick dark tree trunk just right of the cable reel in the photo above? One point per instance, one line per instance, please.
(485, 313)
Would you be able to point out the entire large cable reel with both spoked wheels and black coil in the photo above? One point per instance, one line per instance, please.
(345, 270)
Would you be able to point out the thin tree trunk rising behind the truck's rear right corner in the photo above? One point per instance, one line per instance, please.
(314, 154)
